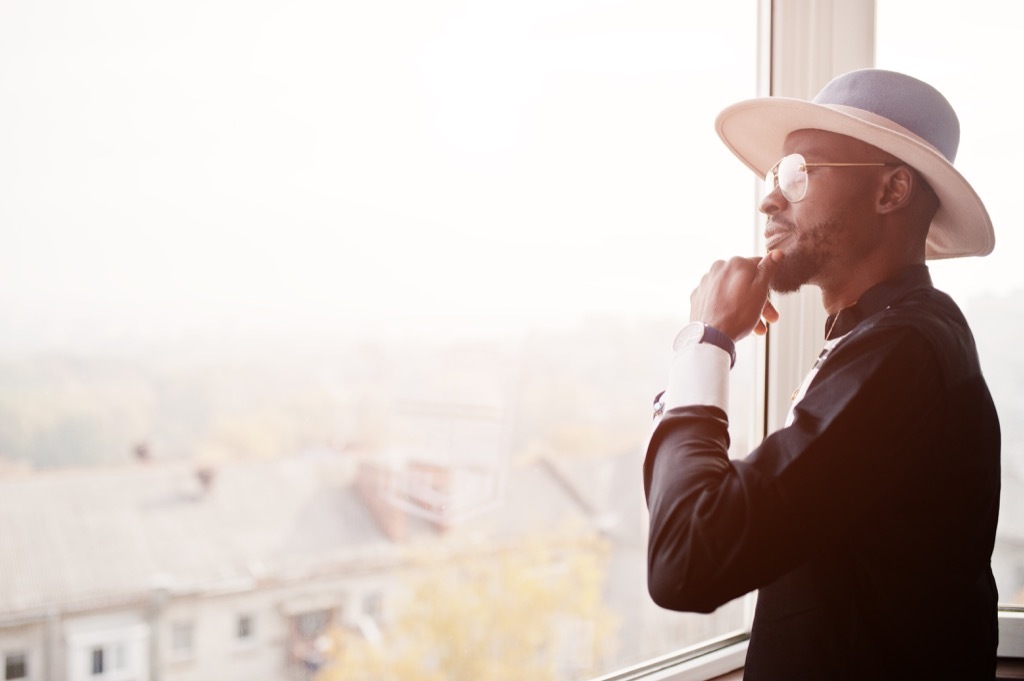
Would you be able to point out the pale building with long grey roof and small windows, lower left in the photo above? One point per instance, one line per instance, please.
(162, 573)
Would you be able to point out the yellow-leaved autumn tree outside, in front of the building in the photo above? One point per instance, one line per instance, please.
(530, 612)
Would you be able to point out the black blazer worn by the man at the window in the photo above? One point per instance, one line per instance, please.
(867, 525)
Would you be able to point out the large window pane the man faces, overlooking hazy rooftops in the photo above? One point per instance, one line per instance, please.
(336, 299)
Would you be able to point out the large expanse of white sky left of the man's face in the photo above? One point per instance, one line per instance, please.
(230, 166)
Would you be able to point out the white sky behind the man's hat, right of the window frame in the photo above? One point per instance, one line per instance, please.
(972, 54)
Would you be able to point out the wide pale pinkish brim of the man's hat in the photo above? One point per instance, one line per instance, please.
(756, 130)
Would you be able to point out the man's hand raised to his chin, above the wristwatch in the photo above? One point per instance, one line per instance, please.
(734, 296)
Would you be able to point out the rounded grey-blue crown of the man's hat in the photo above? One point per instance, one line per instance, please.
(908, 102)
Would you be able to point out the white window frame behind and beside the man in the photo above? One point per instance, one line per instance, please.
(803, 45)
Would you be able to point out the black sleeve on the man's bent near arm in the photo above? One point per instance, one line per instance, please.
(720, 529)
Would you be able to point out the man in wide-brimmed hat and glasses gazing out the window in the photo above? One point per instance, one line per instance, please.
(868, 523)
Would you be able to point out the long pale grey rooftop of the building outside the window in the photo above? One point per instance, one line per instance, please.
(89, 537)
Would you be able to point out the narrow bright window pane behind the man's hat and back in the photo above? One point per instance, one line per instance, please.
(974, 78)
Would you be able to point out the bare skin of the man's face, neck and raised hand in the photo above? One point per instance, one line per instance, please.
(857, 228)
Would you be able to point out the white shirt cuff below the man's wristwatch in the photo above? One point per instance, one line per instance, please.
(699, 376)
